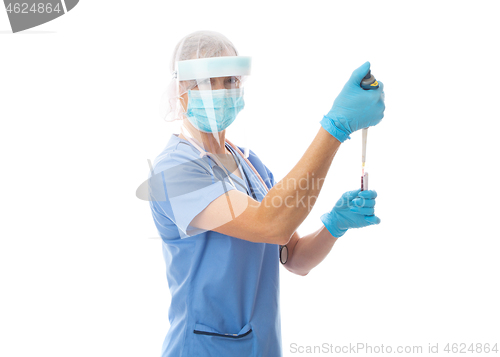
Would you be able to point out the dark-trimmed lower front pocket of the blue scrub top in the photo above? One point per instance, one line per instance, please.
(208, 342)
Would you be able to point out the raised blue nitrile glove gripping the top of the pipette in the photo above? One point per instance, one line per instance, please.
(355, 108)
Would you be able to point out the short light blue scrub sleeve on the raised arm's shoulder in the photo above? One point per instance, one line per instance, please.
(184, 184)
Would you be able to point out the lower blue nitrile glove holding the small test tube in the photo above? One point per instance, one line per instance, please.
(355, 209)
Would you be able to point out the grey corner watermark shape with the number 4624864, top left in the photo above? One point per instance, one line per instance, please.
(27, 14)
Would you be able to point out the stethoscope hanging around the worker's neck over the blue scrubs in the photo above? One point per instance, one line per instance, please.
(283, 252)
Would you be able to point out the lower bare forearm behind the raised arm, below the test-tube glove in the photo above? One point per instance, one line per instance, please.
(307, 252)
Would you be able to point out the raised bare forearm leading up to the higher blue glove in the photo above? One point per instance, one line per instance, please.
(289, 202)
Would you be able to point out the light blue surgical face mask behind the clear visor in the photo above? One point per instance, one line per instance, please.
(214, 110)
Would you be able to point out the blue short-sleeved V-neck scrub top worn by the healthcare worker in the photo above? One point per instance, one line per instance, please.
(225, 290)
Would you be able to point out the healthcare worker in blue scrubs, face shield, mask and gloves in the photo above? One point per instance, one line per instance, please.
(225, 223)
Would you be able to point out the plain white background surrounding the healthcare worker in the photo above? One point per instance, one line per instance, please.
(80, 272)
